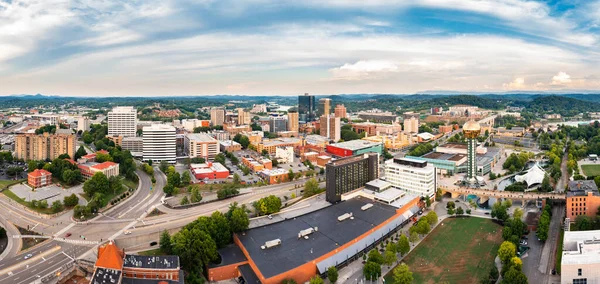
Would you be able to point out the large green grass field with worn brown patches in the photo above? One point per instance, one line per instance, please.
(459, 251)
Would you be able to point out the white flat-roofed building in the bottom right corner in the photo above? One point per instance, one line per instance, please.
(581, 257)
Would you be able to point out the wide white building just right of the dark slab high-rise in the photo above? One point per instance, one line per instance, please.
(413, 176)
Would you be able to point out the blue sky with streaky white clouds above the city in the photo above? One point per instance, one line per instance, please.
(291, 47)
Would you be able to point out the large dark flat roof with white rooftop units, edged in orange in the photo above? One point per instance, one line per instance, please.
(330, 234)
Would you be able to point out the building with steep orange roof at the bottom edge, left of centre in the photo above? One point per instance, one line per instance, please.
(113, 266)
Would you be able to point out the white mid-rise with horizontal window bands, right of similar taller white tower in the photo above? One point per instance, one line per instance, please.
(159, 143)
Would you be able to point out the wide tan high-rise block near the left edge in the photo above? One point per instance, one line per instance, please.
(45, 146)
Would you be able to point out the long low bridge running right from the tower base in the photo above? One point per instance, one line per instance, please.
(456, 191)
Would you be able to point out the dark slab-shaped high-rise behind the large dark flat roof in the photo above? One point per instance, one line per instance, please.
(347, 174)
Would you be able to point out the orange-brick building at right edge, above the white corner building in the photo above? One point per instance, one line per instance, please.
(583, 199)
